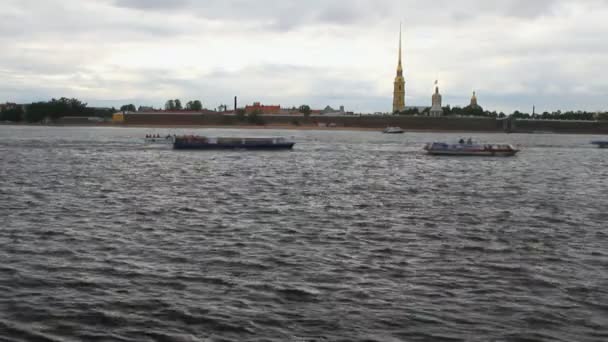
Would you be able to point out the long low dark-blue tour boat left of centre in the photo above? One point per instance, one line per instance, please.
(191, 142)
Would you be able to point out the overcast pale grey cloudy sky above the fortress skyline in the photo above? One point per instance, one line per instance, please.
(514, 53)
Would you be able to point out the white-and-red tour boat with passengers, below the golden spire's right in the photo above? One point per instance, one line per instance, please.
(470, 149)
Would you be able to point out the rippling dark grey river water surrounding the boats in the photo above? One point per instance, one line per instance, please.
(352, 236)
